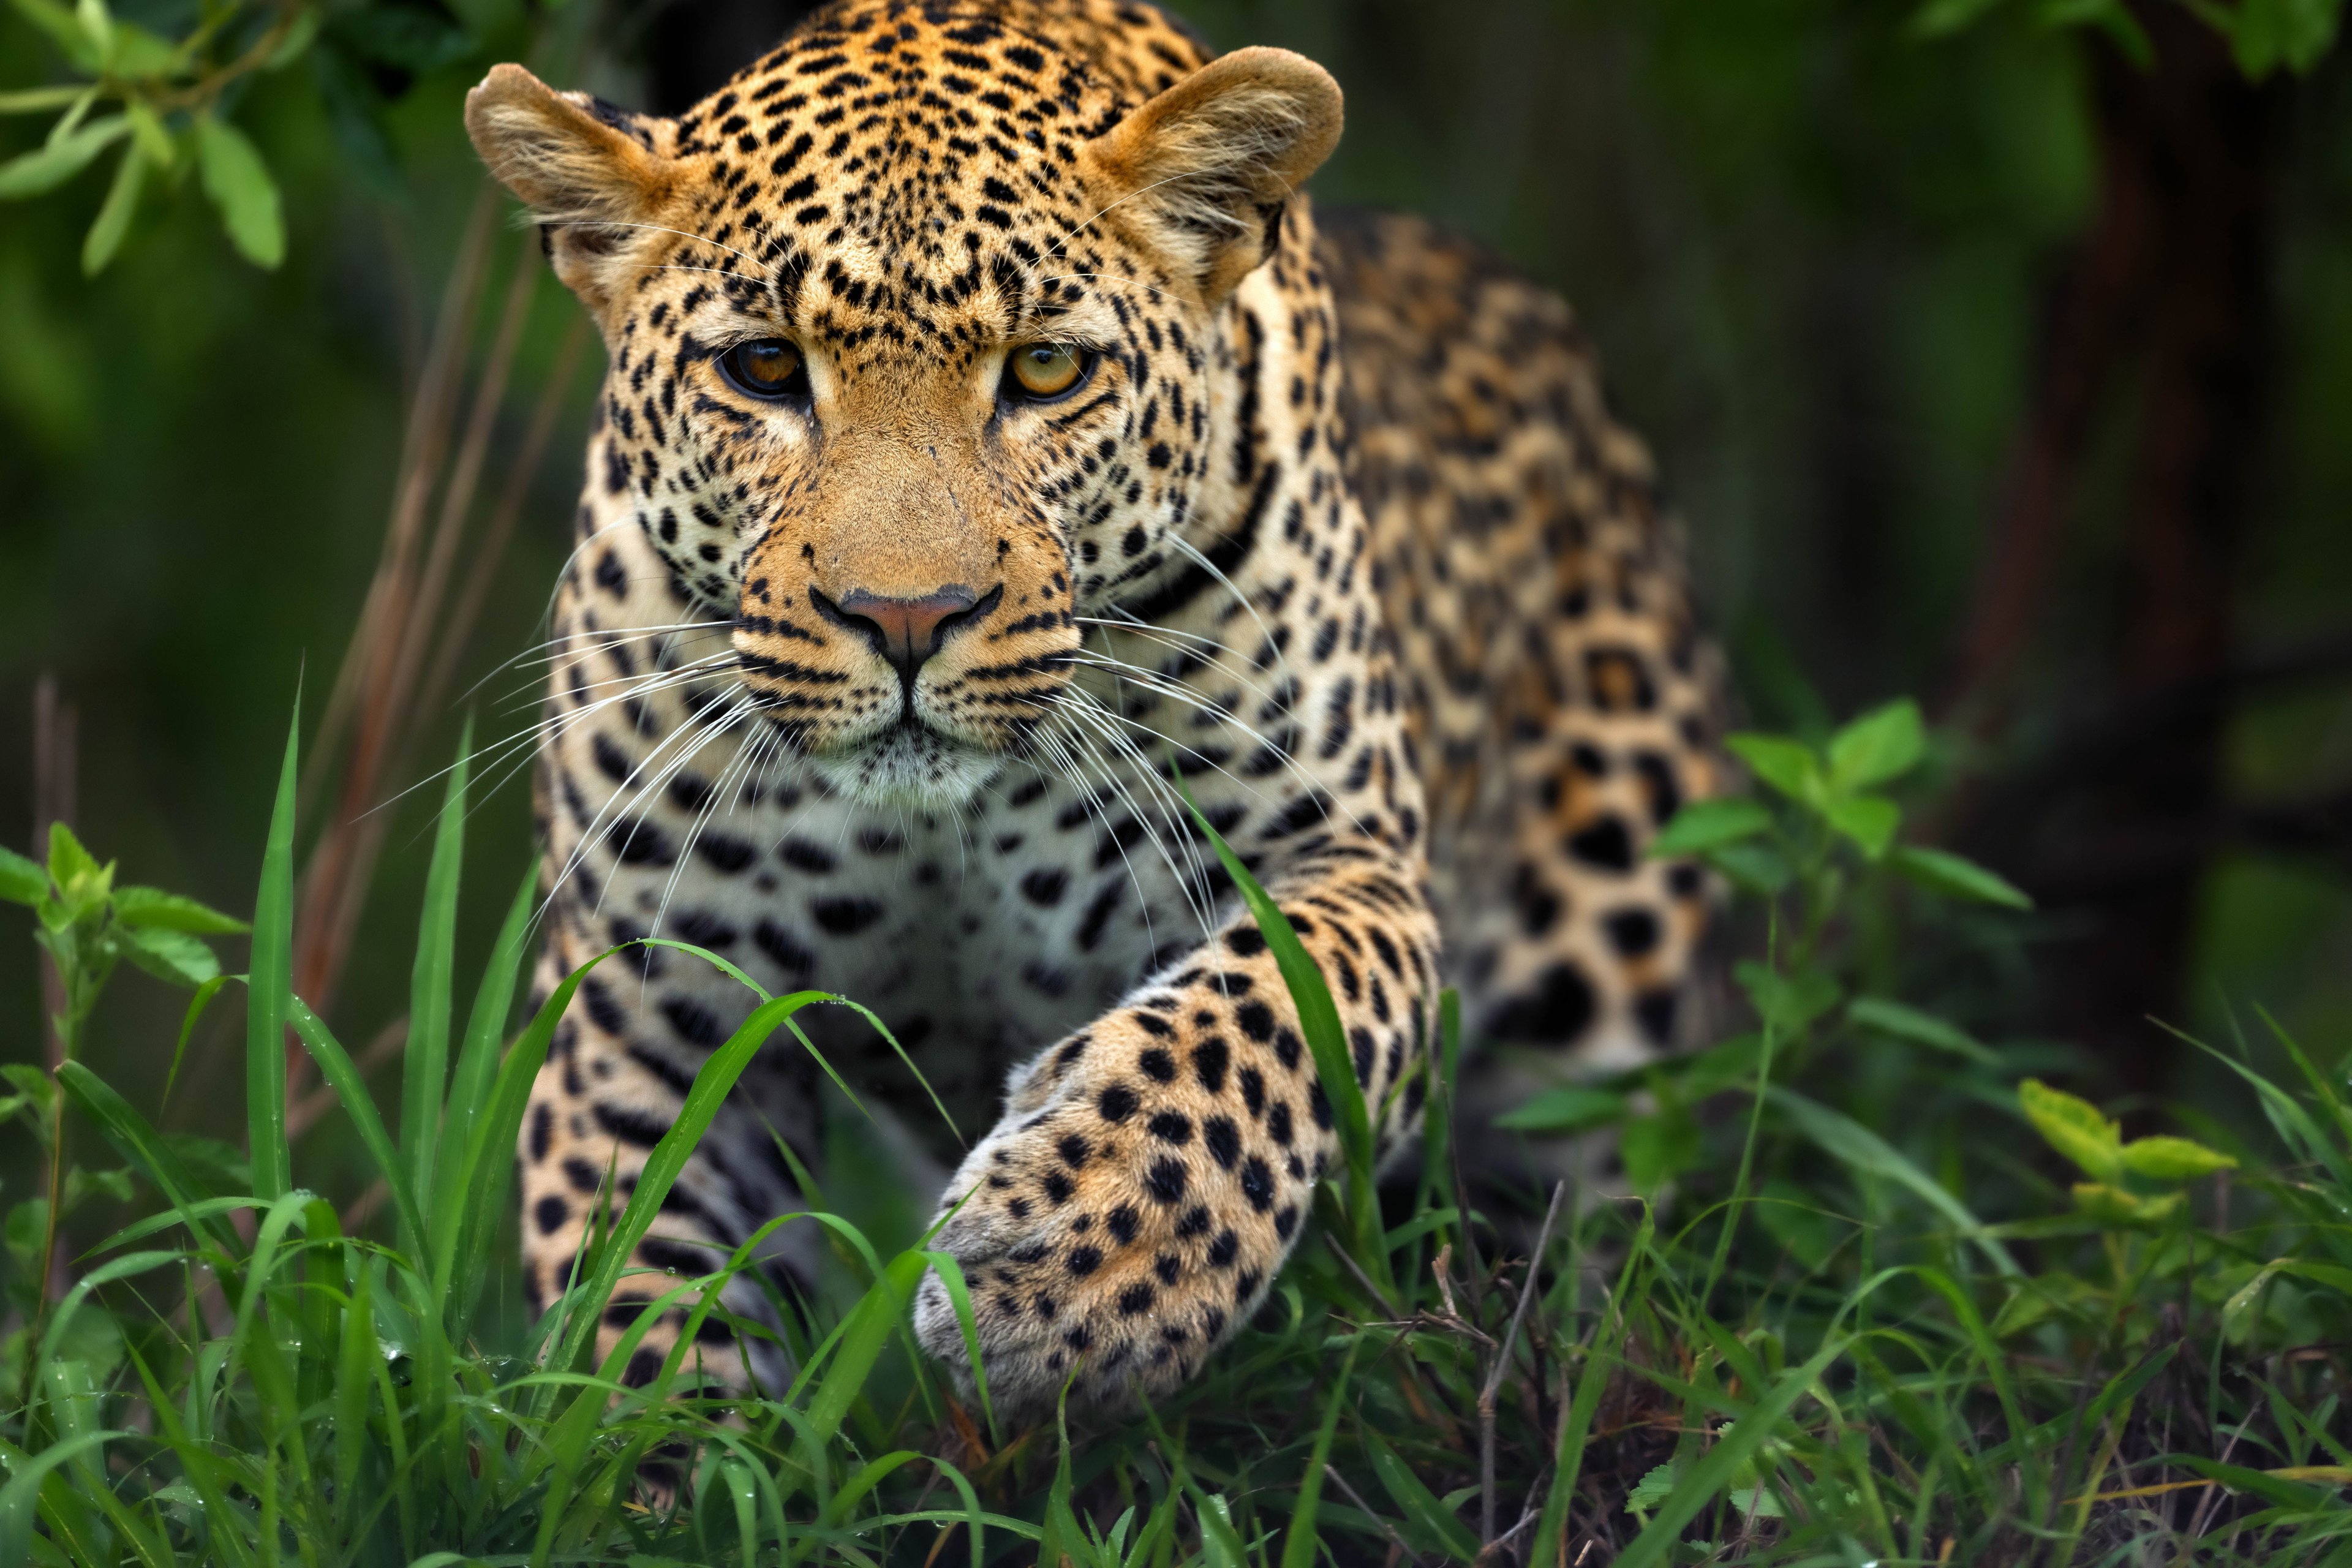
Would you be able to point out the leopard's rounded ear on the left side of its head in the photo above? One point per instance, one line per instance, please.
(594, 175)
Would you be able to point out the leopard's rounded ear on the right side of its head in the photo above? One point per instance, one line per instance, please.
(1203, 170)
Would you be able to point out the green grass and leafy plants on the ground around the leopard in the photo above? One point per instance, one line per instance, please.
(1864, 1315)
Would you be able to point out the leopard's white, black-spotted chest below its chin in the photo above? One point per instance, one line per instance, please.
(975, 934)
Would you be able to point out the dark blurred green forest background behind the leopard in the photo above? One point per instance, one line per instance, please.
(2007, 366)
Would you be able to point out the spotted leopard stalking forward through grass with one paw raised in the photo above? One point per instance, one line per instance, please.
(1003, 492)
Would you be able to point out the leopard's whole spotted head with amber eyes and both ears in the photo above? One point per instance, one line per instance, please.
(914, 351)
